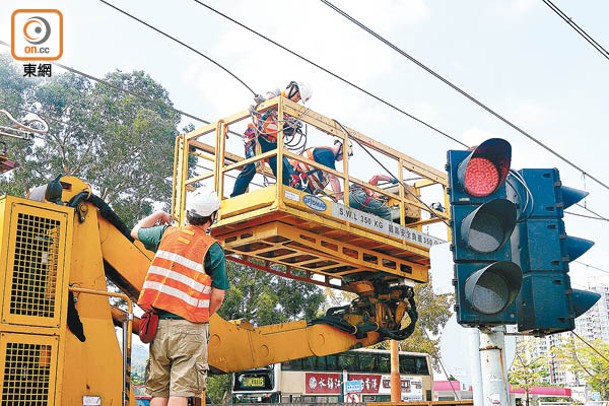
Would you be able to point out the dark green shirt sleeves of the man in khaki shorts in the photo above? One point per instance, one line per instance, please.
(214, 262)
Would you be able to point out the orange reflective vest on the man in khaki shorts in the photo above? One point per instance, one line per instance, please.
(176, 280)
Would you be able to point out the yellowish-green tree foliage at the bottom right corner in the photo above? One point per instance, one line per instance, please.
(589, 360)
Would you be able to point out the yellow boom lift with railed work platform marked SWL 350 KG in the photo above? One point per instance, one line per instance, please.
(58, 344)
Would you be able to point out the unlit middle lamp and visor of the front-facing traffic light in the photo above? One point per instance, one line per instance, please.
(486, 229)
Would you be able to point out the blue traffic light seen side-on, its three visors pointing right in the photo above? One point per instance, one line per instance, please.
(547, 303)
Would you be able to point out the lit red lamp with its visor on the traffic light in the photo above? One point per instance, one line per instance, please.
(486, 168)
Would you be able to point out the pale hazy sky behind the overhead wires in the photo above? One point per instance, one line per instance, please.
(518, 57)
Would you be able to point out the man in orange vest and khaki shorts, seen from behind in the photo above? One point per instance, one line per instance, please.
(185, 285)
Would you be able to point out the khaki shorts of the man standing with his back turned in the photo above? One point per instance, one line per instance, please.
(177, 366)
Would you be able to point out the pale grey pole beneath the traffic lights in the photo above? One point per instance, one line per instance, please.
(492, 367)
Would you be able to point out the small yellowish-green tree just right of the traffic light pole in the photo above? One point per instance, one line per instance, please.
(529, 367)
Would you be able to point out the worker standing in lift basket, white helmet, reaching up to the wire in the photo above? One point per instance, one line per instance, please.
(263, 134)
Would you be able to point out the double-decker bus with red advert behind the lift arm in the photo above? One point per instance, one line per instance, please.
(353, 376)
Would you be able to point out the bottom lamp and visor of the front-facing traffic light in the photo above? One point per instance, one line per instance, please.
(490, 290)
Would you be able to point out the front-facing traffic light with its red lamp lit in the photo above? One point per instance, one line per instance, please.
(486, 281)
